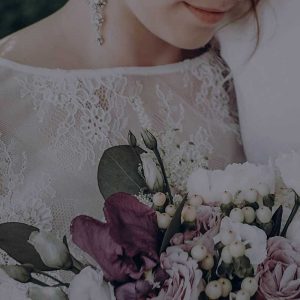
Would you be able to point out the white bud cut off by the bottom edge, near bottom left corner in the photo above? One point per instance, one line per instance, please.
(46, 293)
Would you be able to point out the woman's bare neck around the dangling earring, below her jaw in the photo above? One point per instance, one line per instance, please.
(127, 41)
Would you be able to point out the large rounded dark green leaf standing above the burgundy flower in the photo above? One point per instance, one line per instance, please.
(118, 171)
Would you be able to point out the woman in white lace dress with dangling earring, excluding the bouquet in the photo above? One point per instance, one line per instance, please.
(73, 85)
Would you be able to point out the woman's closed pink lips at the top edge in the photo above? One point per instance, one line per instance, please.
(207, 15)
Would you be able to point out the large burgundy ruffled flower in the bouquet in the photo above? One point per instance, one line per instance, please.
(127, 244)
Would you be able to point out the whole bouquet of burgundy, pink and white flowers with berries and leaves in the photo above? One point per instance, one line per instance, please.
(224, 239)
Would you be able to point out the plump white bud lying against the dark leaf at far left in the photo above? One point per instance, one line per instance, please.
(53, 252)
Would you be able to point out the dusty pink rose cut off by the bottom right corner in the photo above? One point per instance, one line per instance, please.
(279, 274)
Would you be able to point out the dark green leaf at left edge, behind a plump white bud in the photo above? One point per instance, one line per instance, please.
(13, 240)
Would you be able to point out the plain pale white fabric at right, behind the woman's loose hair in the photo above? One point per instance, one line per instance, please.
(267, 84)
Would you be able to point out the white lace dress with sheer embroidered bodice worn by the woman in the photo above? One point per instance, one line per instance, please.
(55, 125)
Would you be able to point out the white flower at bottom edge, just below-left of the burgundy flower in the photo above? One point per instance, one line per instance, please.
(89, 285)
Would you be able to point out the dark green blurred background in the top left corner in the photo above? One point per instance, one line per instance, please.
(17, 14)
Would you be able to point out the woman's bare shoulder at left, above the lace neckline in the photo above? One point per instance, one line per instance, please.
(35, 44)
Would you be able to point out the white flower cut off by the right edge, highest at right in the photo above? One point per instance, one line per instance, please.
(289, 167)
